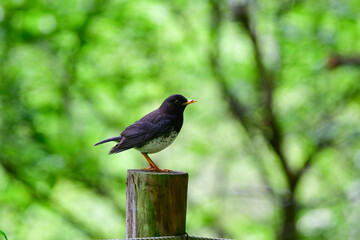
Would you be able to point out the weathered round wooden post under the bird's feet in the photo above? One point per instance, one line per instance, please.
(155, 203)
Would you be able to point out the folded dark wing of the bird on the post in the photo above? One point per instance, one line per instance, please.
(138, 133)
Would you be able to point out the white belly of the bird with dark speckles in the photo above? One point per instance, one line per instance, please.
(159, 143)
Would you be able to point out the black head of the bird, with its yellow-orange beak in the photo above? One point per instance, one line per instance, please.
(175, 104)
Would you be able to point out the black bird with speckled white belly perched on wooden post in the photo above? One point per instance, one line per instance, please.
(153, 132)
